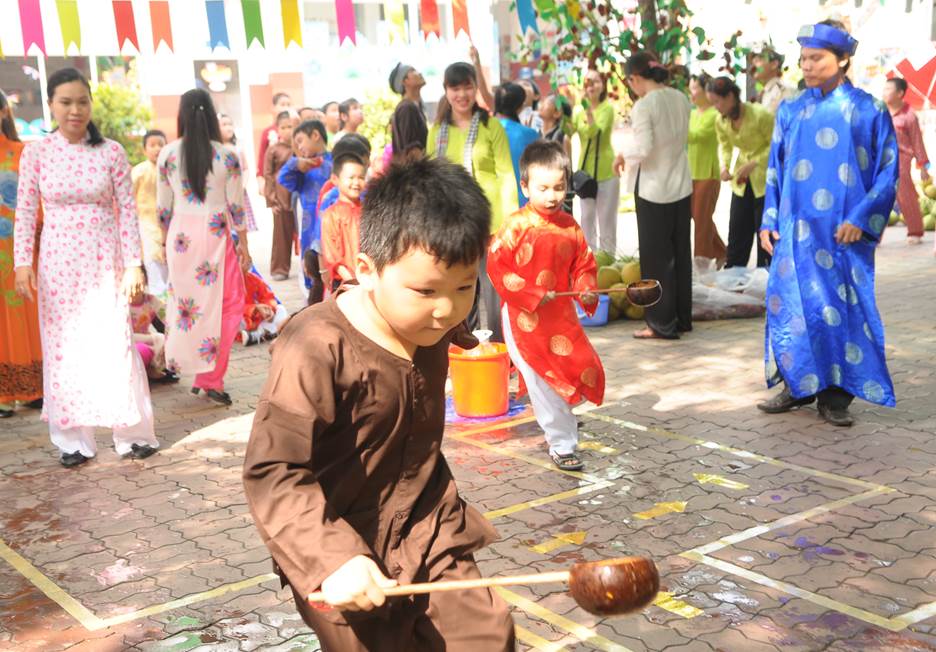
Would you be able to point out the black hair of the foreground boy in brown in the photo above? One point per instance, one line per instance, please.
(430, 204)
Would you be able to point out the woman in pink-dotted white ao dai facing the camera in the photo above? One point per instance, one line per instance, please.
(89, 267)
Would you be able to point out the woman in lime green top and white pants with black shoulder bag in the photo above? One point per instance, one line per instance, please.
(594, 122)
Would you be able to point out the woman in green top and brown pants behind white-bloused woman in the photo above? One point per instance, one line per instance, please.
(703, 165)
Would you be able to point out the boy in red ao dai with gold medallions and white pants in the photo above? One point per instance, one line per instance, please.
(538, 252)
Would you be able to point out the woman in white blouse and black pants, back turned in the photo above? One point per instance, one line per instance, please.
(660, 122)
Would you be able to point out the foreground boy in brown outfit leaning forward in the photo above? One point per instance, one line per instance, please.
(344, 473)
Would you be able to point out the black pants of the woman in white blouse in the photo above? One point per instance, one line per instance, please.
(666, 255)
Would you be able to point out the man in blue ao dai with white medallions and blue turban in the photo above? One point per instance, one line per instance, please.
(830, 188)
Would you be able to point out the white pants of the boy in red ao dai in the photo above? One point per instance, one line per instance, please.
(553, 413)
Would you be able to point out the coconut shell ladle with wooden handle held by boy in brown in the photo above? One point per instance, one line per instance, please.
(605, 588)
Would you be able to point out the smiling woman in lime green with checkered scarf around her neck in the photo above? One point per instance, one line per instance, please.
(464, 133)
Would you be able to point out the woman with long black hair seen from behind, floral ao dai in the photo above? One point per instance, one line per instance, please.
(200, 198)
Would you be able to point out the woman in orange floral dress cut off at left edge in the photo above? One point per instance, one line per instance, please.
(20, 349)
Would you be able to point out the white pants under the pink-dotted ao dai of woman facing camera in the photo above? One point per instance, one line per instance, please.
(81, 439)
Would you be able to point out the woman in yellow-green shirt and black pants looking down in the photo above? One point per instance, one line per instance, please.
(749, 128)
